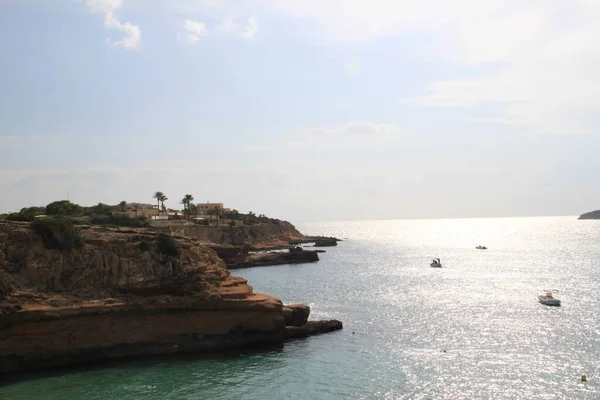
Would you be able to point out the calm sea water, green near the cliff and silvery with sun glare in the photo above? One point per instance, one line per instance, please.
(471, 330)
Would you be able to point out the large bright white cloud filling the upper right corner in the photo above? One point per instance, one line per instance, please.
(539, 57)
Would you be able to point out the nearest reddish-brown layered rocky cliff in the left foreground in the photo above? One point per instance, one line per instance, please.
(120, 293)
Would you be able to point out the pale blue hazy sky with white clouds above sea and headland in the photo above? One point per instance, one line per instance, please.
(304, 110)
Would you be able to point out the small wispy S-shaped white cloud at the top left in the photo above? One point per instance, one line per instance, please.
(132, 33)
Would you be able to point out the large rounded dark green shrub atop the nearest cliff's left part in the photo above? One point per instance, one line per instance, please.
(57, 233)
